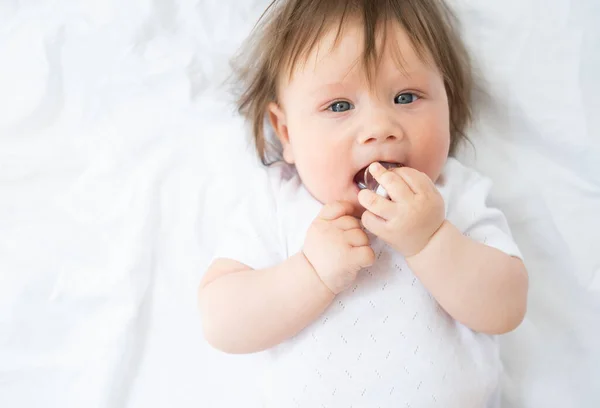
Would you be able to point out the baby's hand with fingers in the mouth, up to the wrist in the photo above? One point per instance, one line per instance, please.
(412, 215)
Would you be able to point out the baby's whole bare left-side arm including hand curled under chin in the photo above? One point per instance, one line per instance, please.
(245, 310)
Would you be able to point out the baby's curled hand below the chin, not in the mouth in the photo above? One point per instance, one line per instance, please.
(337, 247)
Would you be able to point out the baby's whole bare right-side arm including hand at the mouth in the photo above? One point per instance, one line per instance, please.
(480, 286)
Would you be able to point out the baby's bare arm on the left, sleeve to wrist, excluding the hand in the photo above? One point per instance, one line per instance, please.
(245, 310)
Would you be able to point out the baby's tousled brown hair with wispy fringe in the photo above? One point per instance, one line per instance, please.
(289, 29)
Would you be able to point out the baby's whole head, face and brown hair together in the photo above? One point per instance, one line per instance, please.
(345, 83)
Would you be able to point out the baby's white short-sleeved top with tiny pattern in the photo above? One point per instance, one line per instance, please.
(385, 342)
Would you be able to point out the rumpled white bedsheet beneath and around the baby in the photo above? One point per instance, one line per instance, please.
(113, 127)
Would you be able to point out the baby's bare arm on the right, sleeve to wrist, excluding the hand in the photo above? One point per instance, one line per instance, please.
(480, 286)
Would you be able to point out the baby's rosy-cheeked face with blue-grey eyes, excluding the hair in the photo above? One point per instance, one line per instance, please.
(333, 123)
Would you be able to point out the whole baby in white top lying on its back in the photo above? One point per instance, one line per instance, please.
(362, 299)
